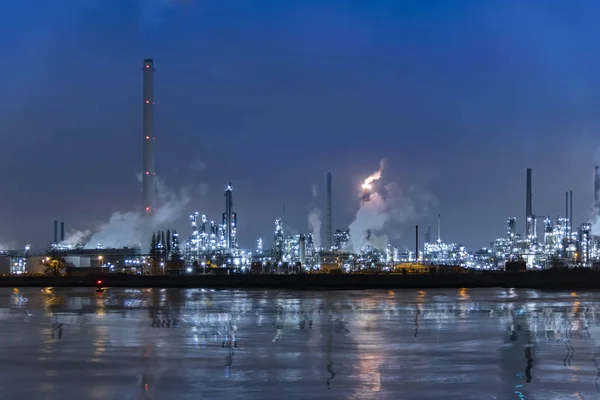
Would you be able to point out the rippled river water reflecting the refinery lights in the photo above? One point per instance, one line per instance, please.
(183, 344)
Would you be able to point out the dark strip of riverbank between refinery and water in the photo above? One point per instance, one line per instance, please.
(561, 279)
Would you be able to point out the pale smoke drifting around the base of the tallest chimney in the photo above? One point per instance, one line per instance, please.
(129, 229)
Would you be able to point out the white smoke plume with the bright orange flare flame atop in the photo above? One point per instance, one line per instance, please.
(393, 207)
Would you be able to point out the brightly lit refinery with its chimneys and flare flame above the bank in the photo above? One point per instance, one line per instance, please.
(213, 246)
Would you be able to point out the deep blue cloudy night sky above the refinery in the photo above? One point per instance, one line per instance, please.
(458, 96)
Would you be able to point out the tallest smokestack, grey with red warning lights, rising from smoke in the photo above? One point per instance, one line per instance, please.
(148, 137)
